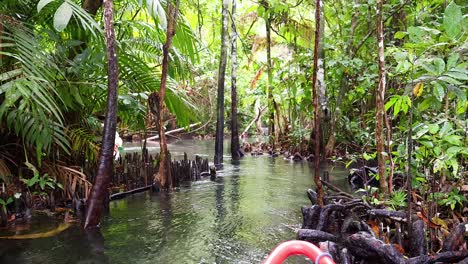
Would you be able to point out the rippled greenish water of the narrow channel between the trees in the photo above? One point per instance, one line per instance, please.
(251, 207)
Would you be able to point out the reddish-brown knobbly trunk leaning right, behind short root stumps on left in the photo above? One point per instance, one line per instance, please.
(164, 177)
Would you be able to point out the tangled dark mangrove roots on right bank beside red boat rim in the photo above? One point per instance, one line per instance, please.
(354, 232)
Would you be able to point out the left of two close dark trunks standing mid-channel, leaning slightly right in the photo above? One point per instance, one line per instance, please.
(218, 159)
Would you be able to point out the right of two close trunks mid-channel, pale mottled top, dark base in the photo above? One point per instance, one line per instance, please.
(235, 146)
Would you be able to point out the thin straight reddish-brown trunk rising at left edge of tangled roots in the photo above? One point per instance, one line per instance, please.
(315, 100)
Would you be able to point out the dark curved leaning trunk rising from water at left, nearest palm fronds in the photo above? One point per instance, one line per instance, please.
(99, 193)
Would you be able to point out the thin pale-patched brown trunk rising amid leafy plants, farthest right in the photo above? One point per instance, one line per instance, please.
(380, 97)
